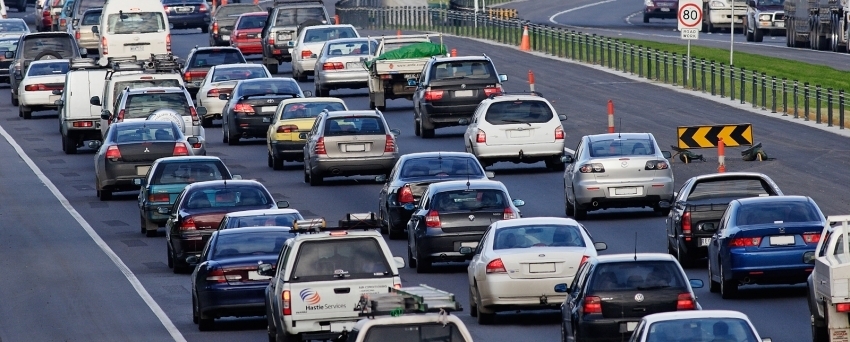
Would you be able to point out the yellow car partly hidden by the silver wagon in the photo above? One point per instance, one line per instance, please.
(293, 119)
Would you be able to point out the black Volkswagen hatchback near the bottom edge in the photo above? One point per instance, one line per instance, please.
(610, 294)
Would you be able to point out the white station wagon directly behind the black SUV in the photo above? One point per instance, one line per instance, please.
(516, 128)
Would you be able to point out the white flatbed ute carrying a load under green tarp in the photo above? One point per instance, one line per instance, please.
(389, 74)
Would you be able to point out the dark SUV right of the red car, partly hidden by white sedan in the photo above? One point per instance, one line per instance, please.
(286, 19)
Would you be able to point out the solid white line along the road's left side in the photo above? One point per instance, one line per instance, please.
(131, 277)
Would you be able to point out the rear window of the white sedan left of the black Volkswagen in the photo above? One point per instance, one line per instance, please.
(549, 235)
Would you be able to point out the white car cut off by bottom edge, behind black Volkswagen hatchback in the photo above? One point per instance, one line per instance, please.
(697, 326)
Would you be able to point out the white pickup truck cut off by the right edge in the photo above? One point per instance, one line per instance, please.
(829, 283)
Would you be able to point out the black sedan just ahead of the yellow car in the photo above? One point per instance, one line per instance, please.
(252, 104)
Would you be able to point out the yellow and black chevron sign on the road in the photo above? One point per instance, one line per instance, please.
(707, 136)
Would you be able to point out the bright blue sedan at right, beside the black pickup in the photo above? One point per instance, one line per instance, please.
(763, 240)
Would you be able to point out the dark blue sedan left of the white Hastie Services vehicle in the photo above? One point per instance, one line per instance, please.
(226, 283)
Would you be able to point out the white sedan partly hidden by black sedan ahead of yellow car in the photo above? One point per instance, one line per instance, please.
(220, 80)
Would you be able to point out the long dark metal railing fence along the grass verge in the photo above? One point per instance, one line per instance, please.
(782, 96)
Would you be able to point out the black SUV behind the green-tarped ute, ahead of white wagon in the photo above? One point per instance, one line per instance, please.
(449, 90)
